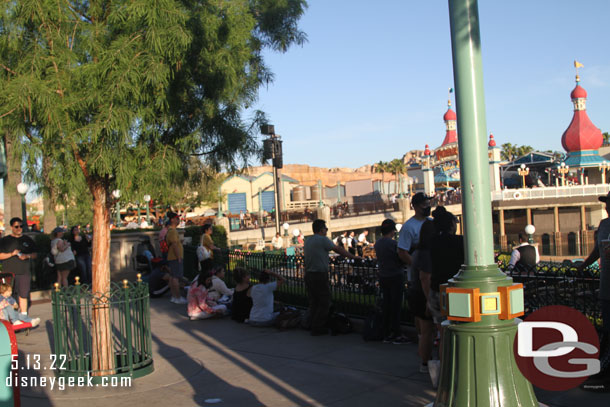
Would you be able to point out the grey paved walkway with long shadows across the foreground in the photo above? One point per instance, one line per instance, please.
(244, 366)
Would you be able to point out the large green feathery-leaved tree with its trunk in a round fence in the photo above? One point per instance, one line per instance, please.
(118, 94)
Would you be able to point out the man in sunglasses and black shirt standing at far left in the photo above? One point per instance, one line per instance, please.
(16, 251)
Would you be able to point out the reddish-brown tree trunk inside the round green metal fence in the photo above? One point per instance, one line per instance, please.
(102, 353)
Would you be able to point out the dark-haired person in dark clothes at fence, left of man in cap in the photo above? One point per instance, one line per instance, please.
(391, 280)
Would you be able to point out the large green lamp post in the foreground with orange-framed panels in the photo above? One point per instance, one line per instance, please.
(478, 365)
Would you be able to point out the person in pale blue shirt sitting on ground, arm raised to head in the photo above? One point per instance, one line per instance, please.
(262, 313)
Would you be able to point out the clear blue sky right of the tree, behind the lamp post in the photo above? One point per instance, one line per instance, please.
(371, 83)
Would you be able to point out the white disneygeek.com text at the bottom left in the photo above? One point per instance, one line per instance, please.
(62, 382)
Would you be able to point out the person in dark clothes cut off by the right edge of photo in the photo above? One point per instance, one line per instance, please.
(601, 251)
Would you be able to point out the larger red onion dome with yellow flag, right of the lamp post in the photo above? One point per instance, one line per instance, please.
(582, 139)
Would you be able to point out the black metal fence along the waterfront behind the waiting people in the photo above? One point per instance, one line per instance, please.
(355, 287)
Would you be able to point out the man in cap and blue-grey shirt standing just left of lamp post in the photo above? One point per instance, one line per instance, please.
(407, 243)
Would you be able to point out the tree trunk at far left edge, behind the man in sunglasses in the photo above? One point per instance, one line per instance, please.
(12, 199)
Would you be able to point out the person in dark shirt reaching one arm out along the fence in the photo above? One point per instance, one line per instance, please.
(316, 251)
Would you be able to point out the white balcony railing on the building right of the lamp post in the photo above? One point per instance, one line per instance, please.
(550, 192)
